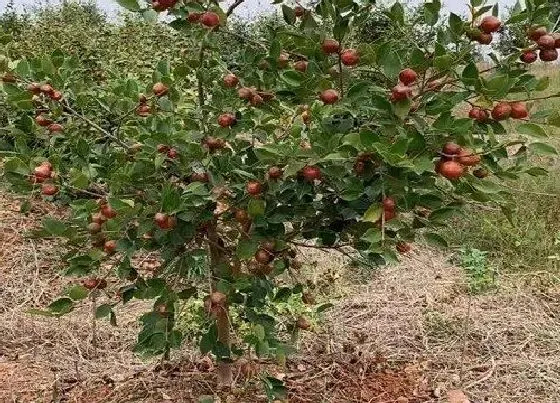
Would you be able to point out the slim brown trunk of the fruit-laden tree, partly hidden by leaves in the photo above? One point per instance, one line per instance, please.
(217, 258)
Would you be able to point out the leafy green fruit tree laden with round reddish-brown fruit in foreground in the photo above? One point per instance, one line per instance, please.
(311, 139)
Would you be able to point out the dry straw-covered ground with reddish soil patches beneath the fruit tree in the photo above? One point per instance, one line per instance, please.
(410, 335)
